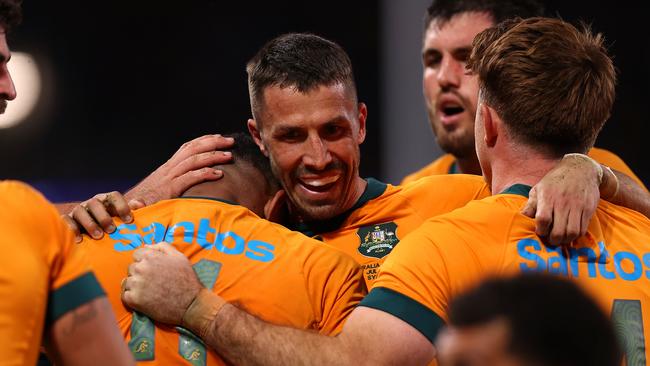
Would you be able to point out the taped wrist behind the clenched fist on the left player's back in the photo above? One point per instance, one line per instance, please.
(202, 311)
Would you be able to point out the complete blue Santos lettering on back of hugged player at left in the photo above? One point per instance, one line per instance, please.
(130, 237)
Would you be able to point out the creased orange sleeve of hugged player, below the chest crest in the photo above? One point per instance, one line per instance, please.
(335, 285)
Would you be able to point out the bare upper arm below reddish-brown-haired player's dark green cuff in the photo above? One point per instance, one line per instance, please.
(379, 338)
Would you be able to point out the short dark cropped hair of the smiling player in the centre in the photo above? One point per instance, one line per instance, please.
(299, 60)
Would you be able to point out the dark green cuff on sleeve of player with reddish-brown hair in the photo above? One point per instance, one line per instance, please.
(417, 315)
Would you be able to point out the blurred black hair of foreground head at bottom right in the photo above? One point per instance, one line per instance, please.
(551, 321)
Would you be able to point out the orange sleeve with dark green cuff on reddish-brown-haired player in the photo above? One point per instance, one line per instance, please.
(428, 268)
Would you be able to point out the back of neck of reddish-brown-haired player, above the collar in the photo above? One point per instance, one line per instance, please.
(520, 166)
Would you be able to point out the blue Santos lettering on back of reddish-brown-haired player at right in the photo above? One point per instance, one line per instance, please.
(624, 265)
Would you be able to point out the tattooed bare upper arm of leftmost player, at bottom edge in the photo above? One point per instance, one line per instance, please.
(87, 334)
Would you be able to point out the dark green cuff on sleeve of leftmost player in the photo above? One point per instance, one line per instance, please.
(70, 296)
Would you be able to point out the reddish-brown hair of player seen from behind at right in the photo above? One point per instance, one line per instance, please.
(551, 83)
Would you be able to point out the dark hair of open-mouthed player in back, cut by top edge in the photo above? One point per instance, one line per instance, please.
(499, 10)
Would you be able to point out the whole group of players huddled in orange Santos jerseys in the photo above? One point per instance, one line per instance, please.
(268, 247)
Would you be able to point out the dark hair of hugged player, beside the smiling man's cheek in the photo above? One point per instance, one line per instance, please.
(245, 149)
